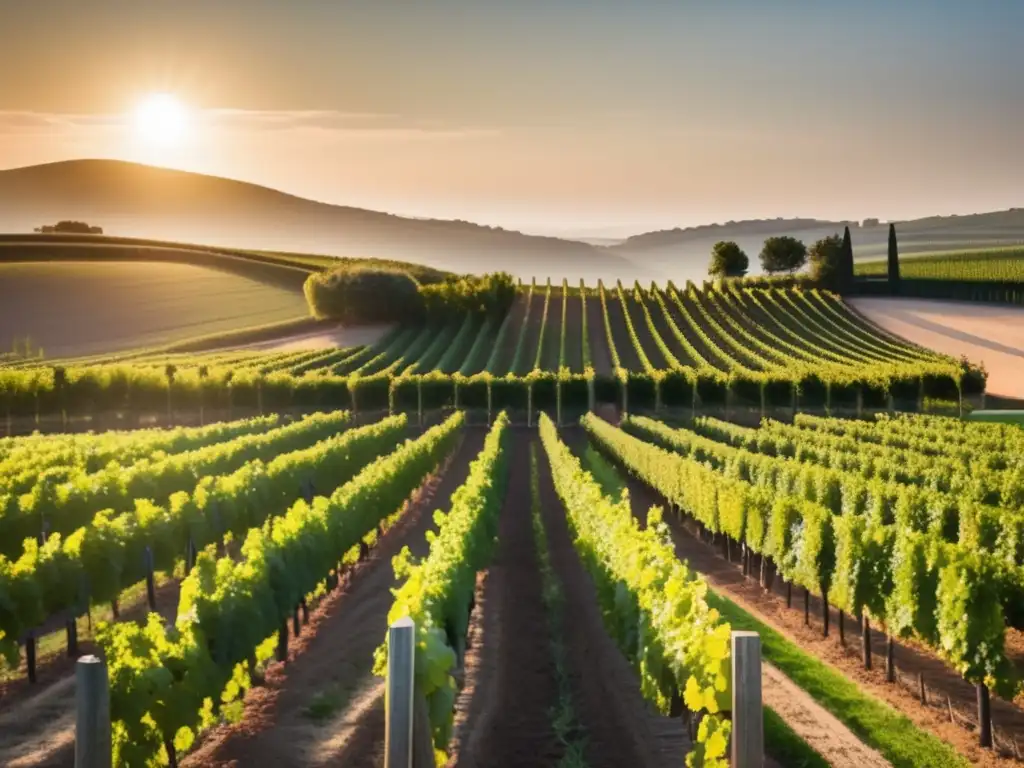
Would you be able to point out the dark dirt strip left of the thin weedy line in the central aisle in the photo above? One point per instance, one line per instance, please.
(505, 720)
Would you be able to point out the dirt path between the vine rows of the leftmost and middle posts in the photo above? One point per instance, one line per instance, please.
(323, 707)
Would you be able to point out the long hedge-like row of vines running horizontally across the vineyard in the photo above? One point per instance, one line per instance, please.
(88, 391)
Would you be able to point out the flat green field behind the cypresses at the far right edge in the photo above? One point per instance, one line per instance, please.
(989, 265)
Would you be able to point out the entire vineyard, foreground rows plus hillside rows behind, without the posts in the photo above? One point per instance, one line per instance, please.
(575, 603)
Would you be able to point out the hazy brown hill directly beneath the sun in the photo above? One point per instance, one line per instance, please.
(133, 200)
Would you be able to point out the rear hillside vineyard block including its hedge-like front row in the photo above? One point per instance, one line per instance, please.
(559, 347)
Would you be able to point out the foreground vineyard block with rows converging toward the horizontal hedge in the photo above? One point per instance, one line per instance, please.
(272, 553)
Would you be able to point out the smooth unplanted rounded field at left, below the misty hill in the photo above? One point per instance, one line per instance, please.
(75, 309)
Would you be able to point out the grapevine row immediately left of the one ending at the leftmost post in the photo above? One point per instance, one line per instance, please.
(102, 560)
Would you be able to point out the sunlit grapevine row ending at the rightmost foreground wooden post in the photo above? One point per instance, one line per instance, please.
(642, 584)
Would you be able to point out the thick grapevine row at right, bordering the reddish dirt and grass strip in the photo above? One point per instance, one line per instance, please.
(948, 595)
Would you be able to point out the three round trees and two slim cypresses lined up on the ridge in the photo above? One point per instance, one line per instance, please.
(831, 260)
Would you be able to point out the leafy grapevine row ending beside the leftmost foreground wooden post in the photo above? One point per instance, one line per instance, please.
(162, 678)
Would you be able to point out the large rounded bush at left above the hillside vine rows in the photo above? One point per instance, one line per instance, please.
(357, 295)
